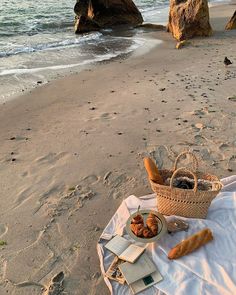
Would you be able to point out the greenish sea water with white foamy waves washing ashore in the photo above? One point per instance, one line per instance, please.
(37, 41)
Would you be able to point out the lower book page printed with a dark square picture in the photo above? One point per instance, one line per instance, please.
(146, 282)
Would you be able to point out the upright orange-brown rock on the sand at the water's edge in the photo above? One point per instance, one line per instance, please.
(189, 18)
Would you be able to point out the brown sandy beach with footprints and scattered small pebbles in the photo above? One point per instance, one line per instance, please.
(72, 150)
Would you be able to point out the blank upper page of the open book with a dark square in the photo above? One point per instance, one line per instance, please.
(137, 270)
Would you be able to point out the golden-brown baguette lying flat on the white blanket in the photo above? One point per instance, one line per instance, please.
(191, 244)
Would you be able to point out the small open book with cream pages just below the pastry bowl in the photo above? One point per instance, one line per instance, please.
(124, 249)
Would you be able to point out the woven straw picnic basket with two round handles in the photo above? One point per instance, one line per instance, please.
(185, 202)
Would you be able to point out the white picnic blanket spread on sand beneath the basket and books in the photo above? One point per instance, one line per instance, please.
(207, 271)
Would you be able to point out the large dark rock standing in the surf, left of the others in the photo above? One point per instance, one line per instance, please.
(95, 14)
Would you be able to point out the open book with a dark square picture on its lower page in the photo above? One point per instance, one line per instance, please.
(140, 275)
